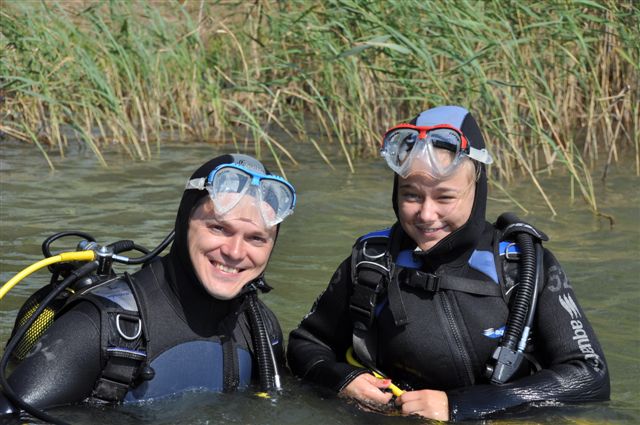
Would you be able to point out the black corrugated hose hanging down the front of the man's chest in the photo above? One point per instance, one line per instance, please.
(267, 365)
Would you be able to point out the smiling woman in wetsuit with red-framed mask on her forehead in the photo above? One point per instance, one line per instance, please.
(470, 319)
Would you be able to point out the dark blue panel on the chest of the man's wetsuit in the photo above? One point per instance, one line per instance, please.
(191, 366)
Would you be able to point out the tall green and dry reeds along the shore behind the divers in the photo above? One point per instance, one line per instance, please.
(554, 84)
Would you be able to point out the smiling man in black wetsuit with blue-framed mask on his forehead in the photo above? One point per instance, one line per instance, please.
(190, 320)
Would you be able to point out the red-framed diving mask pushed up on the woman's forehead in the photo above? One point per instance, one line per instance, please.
(433, 150)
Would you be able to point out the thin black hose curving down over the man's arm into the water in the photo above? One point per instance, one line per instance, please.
(6, 388)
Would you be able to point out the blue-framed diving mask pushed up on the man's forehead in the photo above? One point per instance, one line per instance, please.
(228, 184)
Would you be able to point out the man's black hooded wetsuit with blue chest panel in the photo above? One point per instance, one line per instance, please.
(187, 332)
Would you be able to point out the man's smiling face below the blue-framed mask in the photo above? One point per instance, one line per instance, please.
(228, 252)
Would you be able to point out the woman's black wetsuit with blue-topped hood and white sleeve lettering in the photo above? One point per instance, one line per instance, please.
(443, 340)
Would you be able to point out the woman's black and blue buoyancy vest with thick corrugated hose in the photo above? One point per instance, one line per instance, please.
(515, 266)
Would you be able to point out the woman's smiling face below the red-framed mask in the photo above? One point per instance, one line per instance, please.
(430, 209)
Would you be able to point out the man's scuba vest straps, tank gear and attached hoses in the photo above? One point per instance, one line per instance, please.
(123, 325)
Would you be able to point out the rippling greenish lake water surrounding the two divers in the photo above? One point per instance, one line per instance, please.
(138, 201)
